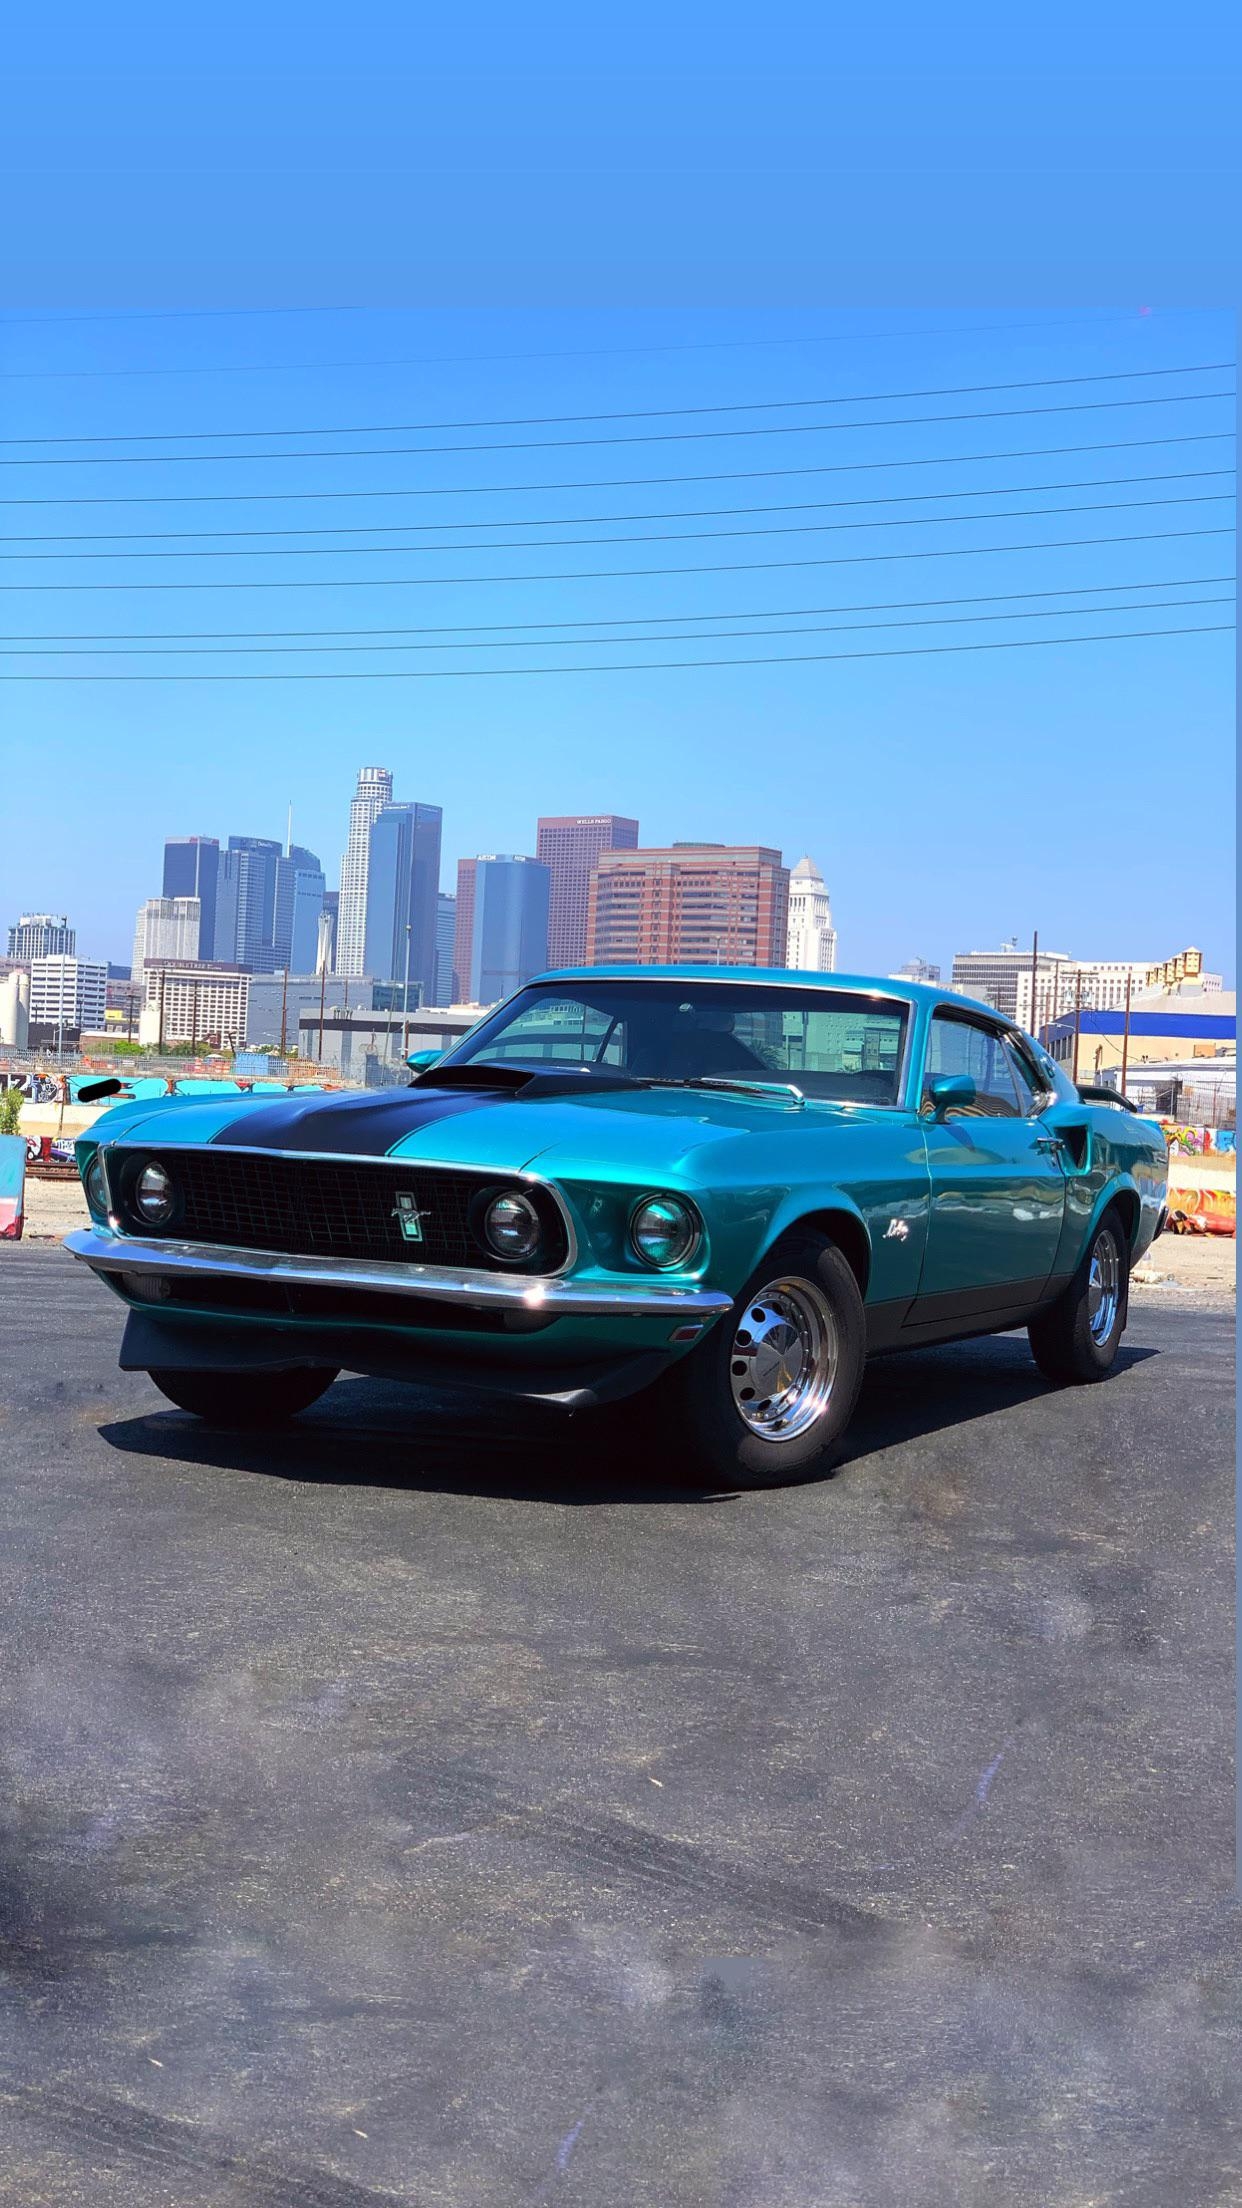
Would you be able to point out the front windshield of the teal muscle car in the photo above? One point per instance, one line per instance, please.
(832, 1043)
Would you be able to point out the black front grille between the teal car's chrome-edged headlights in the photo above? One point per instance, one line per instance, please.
(310, 1207)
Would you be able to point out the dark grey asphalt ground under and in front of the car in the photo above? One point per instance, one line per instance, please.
(423, 1807)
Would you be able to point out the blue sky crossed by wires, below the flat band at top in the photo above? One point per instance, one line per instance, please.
(951, 798)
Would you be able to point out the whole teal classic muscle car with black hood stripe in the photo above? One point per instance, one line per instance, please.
(717, 1191)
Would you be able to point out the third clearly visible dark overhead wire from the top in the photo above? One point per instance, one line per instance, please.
(620, 482)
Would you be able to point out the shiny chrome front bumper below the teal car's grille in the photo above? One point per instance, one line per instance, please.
(436, 1284)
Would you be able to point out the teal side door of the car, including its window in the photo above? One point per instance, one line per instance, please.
(998, 1185)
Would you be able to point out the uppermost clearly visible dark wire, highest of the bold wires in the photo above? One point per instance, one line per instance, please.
(631, 414)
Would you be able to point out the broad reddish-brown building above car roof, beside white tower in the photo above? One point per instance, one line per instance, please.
(704, 904)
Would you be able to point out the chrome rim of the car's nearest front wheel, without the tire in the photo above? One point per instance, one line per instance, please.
(783, 1361)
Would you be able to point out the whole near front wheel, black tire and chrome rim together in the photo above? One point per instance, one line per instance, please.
(770, 1394)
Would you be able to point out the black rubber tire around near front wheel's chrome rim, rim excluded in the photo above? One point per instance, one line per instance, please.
(711, 1425)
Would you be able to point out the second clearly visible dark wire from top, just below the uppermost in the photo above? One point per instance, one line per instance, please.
(569, 445)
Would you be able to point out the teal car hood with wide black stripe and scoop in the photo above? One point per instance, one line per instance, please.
(620, 1129)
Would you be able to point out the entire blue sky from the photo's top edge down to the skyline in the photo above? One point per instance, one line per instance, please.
(604, 191)
